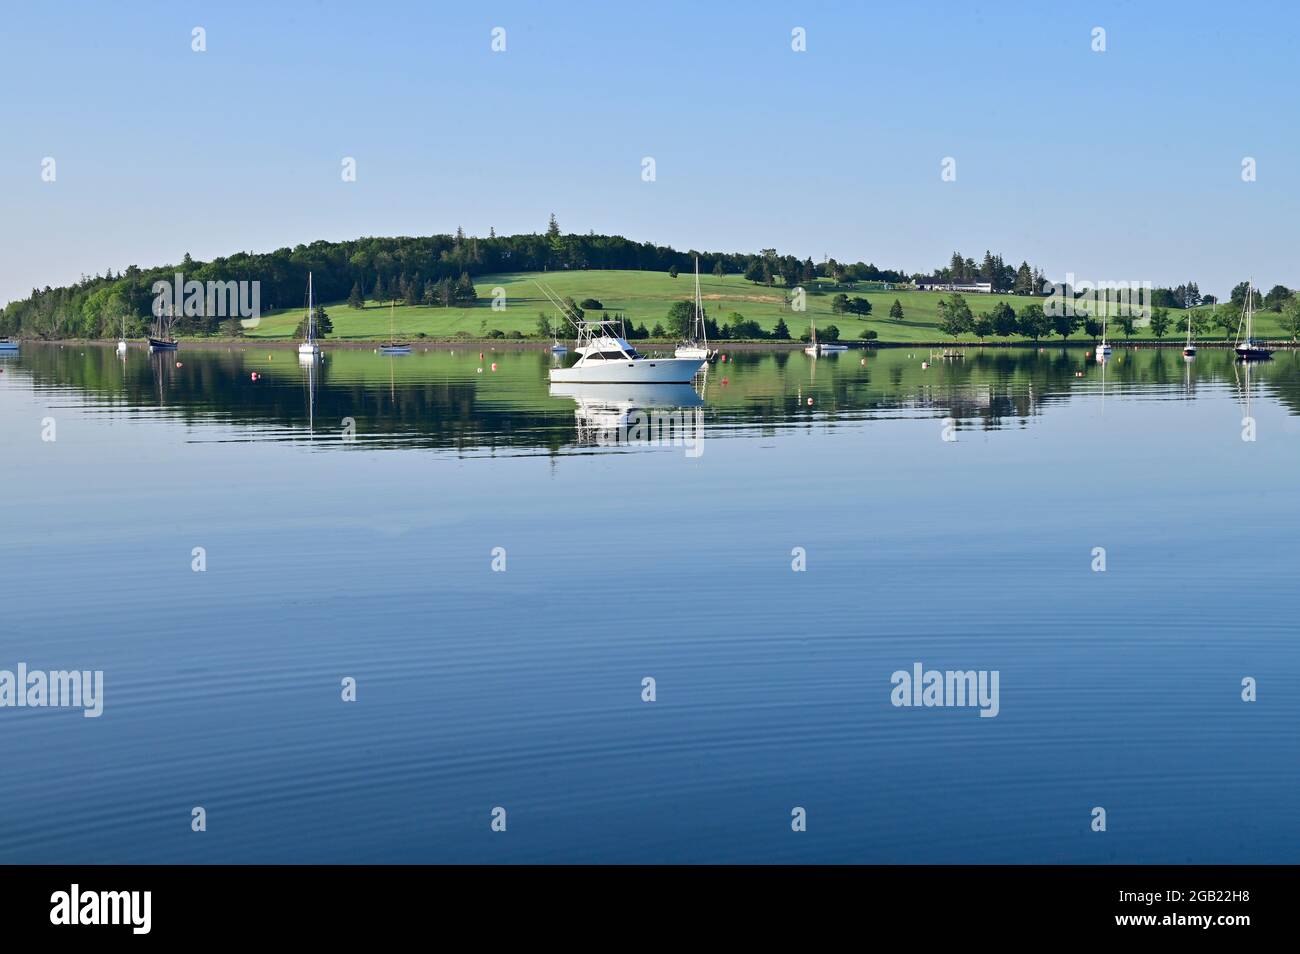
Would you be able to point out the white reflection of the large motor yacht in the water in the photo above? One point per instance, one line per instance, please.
(636, 414)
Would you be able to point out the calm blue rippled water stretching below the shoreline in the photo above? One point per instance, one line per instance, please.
(365, 550)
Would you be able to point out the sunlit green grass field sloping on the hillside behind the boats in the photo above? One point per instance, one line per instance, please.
(645, 298)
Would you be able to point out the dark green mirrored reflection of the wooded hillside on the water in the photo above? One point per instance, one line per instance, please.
(504, 404)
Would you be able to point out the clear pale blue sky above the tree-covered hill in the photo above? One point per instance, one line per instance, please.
(1116, 166)
